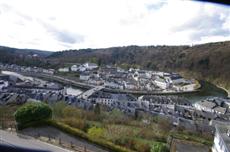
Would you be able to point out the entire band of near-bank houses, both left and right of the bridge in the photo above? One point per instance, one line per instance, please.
(215, 108)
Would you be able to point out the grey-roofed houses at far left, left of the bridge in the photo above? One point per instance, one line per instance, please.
(14, 85)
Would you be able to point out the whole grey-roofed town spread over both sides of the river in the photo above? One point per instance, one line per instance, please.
(104, 86)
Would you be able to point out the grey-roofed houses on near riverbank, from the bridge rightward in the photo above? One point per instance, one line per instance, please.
(158, 104)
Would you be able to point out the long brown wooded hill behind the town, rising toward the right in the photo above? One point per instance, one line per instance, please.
(209, 61)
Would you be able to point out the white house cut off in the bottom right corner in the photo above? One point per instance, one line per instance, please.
(221, 139)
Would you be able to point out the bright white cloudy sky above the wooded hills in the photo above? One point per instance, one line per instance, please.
(57, 25)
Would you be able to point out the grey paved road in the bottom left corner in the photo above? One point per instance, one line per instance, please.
(13, 141)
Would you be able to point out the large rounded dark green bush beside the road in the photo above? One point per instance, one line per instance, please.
(34, 111)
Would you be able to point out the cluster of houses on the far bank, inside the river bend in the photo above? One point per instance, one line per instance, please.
(132, 79)
